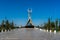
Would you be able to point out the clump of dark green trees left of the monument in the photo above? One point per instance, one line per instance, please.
(6, 25)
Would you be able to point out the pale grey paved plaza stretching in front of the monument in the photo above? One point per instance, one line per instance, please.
(29, 34)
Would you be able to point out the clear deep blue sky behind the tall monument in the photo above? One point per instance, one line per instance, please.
(16, 10)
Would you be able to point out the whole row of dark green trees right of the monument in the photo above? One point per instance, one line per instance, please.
(52, 25)
